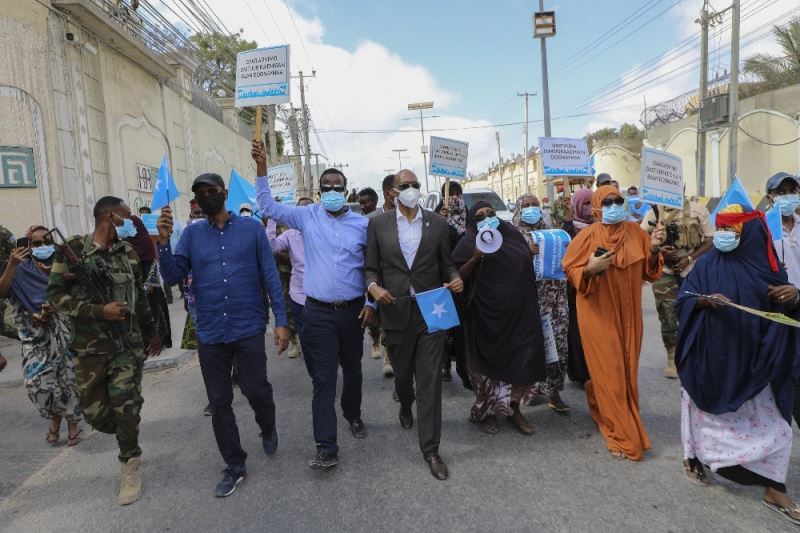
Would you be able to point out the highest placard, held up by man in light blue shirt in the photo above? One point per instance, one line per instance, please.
(263, 76)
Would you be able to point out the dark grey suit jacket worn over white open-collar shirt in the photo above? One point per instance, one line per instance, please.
(386, 266)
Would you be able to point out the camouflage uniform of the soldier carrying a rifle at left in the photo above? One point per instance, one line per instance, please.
(108, 371)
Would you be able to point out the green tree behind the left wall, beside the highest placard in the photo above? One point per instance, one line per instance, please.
(217, 72)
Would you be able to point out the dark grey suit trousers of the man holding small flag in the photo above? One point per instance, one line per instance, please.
(416, 353)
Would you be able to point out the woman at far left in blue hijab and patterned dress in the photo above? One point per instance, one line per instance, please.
(46, 359)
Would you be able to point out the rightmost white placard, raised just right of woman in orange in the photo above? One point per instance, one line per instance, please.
(662, 178)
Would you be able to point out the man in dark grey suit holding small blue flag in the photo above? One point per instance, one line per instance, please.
(408, 252)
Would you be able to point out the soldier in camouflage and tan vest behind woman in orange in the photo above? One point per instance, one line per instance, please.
(689, 235)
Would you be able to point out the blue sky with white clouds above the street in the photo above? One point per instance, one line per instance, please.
(471, 58)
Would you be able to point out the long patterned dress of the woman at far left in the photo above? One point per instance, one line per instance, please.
(47, 364)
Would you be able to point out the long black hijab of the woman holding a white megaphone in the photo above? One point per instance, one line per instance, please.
(502, 318)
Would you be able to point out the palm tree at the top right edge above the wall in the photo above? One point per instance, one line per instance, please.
(777, 71)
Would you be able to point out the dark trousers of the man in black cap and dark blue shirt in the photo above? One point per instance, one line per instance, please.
(216, 361)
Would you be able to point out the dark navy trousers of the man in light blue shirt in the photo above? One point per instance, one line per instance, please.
(332, 338)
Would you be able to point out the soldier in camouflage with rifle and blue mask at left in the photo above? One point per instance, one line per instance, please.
(108, 364)
